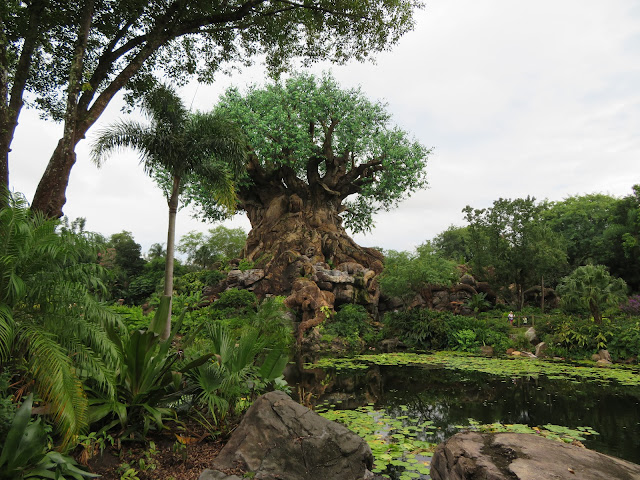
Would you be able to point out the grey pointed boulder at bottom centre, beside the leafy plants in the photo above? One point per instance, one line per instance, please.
(280, 439)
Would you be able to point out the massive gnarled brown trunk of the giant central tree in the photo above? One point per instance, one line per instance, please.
(295, 242)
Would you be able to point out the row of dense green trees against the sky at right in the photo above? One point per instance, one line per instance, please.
(523, 242)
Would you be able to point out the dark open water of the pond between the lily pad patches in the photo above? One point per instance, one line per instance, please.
(450, 398)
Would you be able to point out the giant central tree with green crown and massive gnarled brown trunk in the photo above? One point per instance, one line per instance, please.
(320, 156)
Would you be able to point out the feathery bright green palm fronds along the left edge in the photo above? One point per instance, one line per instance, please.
(53, 330)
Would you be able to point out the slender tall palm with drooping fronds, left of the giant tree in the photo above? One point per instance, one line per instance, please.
(179, 149)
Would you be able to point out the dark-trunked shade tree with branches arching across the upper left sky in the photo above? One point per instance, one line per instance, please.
(74, 57)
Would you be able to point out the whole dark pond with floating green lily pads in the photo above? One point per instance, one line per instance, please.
(433, 401)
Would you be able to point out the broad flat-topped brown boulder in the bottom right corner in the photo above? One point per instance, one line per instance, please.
(522, 456)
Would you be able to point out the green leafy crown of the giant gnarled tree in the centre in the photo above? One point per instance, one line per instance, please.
(325, 144)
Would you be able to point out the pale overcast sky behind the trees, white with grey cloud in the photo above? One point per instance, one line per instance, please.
(517, 98)
